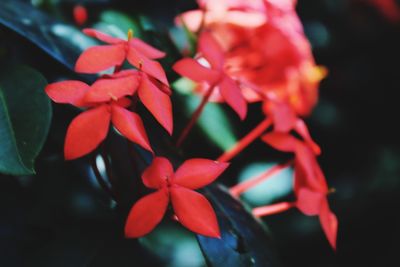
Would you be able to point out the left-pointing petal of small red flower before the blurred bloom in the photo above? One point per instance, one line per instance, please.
(190, 68)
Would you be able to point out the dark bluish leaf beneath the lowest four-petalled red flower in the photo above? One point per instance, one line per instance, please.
(244, 243)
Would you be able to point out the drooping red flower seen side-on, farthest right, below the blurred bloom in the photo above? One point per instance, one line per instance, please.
(310, 185)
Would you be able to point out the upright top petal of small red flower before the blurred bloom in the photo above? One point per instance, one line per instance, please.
(211, 50)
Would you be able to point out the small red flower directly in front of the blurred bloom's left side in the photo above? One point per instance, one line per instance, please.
(214, 76)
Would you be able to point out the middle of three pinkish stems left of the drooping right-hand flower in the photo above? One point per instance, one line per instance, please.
(246, 185)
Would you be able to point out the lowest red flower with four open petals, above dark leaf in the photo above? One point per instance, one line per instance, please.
(191, 208)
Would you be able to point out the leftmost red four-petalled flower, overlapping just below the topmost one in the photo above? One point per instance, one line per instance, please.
(107, 103)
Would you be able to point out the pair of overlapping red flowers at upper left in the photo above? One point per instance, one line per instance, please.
(109, 98)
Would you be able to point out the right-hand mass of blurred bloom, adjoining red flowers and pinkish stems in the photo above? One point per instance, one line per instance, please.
(260, 47)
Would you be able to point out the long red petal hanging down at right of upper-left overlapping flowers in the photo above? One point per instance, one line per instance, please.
(157, 102)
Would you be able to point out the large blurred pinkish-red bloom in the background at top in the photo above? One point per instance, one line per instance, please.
(265, 49)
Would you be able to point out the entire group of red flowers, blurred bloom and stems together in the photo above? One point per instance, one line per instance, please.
(247, 51)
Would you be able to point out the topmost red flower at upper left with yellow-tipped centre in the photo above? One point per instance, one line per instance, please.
(103, 57)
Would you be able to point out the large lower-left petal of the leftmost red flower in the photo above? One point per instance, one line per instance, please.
(86, 132)
